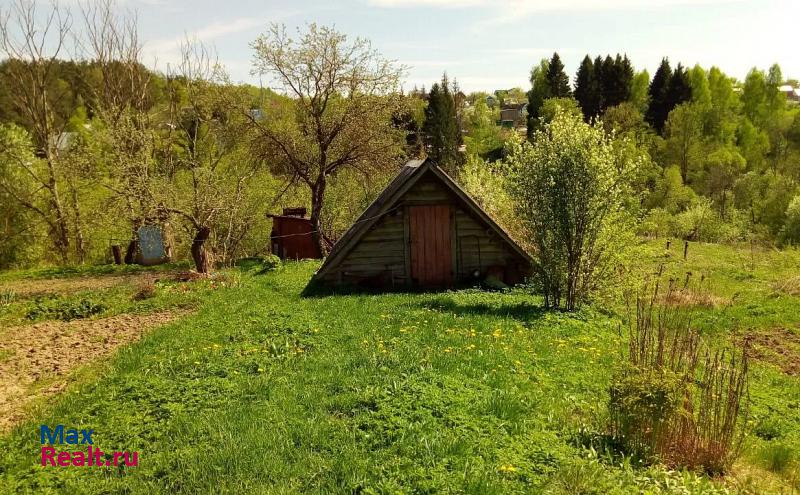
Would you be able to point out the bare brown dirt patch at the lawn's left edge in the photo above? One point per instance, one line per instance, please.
(47, 352)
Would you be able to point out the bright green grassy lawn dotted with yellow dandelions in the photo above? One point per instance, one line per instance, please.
(264, 391)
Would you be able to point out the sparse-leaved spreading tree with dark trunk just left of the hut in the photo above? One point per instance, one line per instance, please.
(344, 95)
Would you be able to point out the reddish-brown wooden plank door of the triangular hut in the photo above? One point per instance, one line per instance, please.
(431, 250)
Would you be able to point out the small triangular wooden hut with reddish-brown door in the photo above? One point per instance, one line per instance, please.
(423, 231)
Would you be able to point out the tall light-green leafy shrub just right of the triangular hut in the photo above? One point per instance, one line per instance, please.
(568, 186)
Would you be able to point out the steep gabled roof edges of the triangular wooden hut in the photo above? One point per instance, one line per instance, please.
(411, 172)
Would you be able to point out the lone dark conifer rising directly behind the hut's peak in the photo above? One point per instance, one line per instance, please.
(441, 129)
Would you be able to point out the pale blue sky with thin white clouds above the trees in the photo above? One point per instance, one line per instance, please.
(487, 44)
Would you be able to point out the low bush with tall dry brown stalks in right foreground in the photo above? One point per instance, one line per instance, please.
(674, 399)
